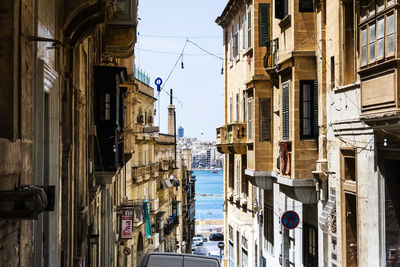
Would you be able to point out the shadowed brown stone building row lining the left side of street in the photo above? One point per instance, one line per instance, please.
(71, 135)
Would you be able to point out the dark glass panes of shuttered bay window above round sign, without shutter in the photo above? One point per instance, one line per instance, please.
(306, 104)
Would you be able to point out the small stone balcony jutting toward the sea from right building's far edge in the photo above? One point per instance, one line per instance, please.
(232, 138)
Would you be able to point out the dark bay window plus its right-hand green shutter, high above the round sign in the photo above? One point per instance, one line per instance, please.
(308, 109)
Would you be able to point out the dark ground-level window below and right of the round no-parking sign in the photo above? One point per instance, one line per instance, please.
(310, 245)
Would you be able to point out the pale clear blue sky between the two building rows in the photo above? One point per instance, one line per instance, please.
(199, 86)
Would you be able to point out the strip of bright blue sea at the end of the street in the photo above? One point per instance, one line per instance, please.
(212, 184)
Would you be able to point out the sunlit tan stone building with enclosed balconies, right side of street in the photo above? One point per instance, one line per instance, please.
(328, 110)
